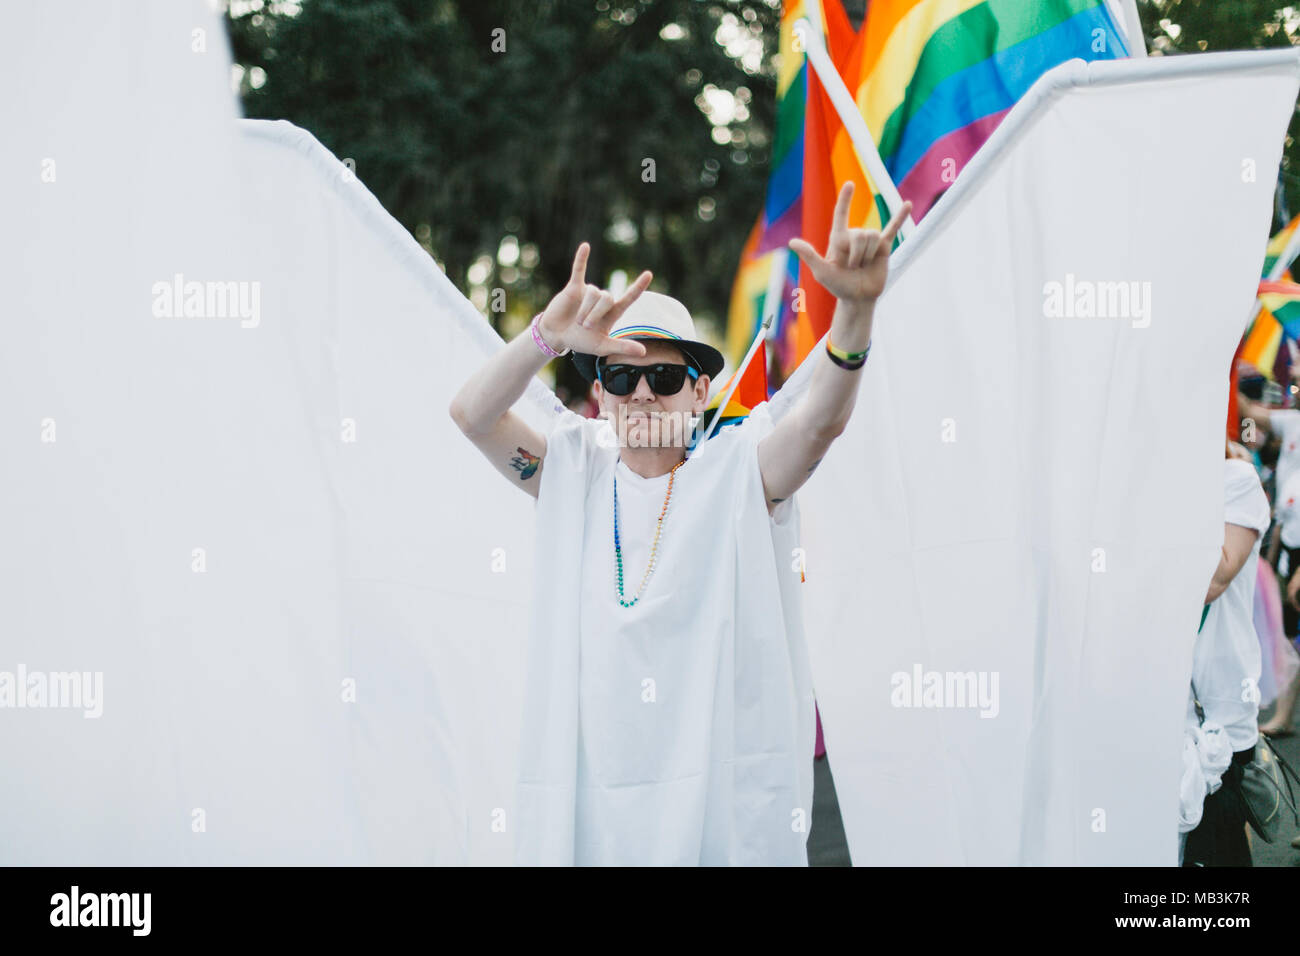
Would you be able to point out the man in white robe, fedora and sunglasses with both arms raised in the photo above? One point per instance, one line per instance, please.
(669, 704)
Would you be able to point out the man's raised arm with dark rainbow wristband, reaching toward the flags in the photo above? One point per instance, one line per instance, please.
(855, 271)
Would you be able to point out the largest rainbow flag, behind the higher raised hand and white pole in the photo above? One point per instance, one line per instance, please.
(933, 80)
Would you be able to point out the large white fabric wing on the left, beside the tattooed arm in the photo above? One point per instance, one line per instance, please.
(304, 590)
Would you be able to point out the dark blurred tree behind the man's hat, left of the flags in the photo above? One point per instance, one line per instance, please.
(505, 133)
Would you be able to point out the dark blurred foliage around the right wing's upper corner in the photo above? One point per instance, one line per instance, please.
(1191, 27)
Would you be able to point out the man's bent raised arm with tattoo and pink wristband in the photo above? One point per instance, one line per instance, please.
(580, 318)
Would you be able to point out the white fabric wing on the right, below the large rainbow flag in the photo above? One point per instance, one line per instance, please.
(1008, 548)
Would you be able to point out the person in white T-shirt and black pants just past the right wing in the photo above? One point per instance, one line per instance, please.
(1227, 671)
